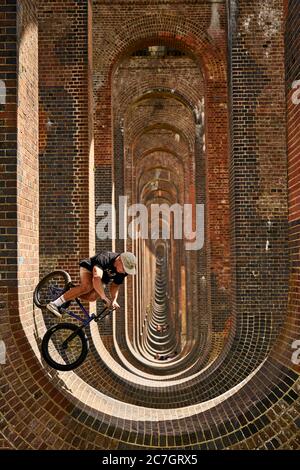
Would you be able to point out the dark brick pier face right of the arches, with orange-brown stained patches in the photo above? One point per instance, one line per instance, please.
(258, 173)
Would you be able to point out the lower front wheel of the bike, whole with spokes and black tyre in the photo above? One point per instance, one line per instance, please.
(61, 354)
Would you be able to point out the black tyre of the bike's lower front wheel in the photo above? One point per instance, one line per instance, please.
(69, 328)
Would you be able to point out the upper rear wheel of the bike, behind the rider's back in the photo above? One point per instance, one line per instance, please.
(51, 287)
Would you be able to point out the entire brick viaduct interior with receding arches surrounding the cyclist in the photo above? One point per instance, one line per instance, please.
(193, 102)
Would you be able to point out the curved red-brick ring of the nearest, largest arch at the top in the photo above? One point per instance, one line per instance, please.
(161, 28)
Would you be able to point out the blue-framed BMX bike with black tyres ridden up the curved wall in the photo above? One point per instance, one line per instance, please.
(65, 345)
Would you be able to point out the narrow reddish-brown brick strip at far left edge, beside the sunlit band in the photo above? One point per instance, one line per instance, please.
(8, 173)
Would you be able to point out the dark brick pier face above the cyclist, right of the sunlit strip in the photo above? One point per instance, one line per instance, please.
(65, 139)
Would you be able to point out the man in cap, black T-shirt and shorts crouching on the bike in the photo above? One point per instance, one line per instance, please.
(95, 273)
